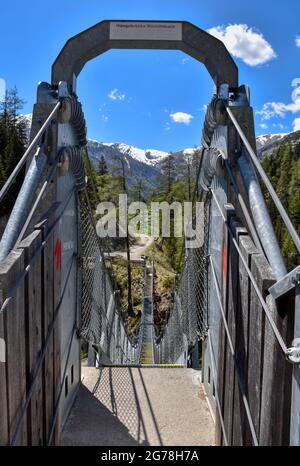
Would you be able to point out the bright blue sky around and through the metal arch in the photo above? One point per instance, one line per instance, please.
(155, 99)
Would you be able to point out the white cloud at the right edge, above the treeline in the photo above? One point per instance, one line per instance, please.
(279, 109)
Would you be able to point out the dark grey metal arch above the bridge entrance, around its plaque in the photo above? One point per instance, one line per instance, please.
(195, 42)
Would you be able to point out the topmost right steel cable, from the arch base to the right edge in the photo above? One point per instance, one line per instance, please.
(290, 227)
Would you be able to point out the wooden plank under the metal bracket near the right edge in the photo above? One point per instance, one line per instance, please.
(277, 375)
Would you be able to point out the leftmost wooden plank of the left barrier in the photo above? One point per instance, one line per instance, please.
(14, 330)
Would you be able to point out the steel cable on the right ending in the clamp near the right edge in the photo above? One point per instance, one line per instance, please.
(252, 279)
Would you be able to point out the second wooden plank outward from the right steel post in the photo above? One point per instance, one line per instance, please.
(241, 430)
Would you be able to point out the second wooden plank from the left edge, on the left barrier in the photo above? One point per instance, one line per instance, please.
(33, 328)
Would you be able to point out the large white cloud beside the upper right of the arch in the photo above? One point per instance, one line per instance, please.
(243, 42)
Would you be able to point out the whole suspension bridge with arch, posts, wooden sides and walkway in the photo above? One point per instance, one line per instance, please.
(235, 307)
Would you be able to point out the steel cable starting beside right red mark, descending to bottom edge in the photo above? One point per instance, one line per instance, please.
(241, 386)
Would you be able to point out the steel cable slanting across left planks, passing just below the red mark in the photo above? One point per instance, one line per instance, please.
(40, 361)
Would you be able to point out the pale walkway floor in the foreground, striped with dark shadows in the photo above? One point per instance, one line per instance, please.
(139, 406)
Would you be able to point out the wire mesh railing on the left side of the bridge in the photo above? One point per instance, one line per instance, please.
(101, 322)
